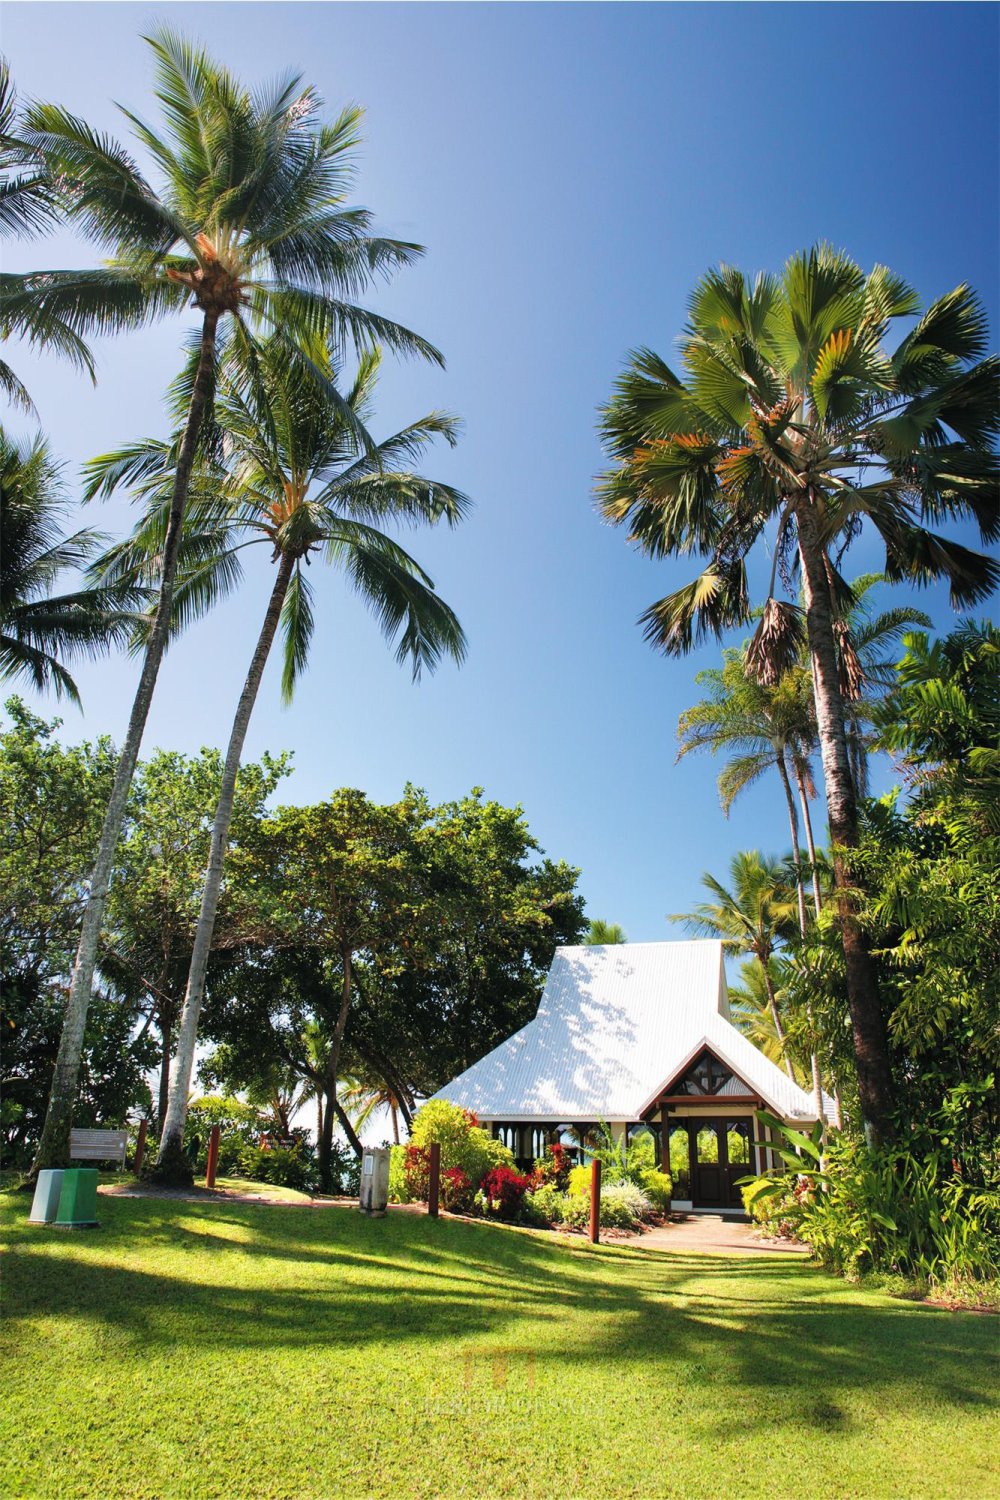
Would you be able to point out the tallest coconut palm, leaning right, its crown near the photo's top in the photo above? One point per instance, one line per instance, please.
(250, 226)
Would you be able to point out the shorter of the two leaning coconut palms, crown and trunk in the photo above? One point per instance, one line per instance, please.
(295, 478)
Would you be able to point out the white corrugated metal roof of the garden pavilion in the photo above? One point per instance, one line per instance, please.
(614, 1027)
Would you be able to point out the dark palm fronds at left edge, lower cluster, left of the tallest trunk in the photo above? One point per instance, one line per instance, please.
(40, 631)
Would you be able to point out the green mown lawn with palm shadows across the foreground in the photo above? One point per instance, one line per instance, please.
(251, 1351)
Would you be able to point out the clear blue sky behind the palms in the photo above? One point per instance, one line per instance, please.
(572, 170)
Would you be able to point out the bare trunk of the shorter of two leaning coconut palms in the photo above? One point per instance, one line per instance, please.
(172, 1163)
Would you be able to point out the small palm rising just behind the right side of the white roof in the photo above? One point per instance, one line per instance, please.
(752, 916)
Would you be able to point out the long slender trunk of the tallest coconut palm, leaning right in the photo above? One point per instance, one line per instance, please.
(53, 1150)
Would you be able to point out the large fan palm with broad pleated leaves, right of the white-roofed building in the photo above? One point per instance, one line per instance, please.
(795, 416)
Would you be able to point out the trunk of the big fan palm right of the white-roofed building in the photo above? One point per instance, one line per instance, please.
(872, 1052)
